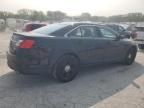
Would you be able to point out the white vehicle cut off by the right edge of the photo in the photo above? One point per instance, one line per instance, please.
(140, 36)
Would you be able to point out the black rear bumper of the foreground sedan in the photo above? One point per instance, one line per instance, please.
(25, 66)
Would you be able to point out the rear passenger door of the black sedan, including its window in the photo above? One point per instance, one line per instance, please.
(90, 45)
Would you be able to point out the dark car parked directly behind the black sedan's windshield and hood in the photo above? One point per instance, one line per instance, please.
(122, 30)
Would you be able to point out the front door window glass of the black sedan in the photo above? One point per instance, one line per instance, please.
(107, 33)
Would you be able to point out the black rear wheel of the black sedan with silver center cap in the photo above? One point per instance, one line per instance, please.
(66, 68)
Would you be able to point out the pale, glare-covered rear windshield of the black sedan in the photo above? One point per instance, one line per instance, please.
(49, 29)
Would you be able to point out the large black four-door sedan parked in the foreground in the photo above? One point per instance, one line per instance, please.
(59, 49)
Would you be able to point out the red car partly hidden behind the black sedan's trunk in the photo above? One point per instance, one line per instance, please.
(32, 26)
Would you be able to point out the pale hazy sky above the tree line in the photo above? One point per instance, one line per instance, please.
(76, 7)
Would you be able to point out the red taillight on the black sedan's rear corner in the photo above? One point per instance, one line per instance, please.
(26, 44)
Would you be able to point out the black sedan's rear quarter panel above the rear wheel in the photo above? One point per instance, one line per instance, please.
(59, 46)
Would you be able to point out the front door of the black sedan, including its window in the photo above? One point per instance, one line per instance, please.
(113, 49)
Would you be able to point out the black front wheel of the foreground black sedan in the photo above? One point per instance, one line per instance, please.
(130, 56)
